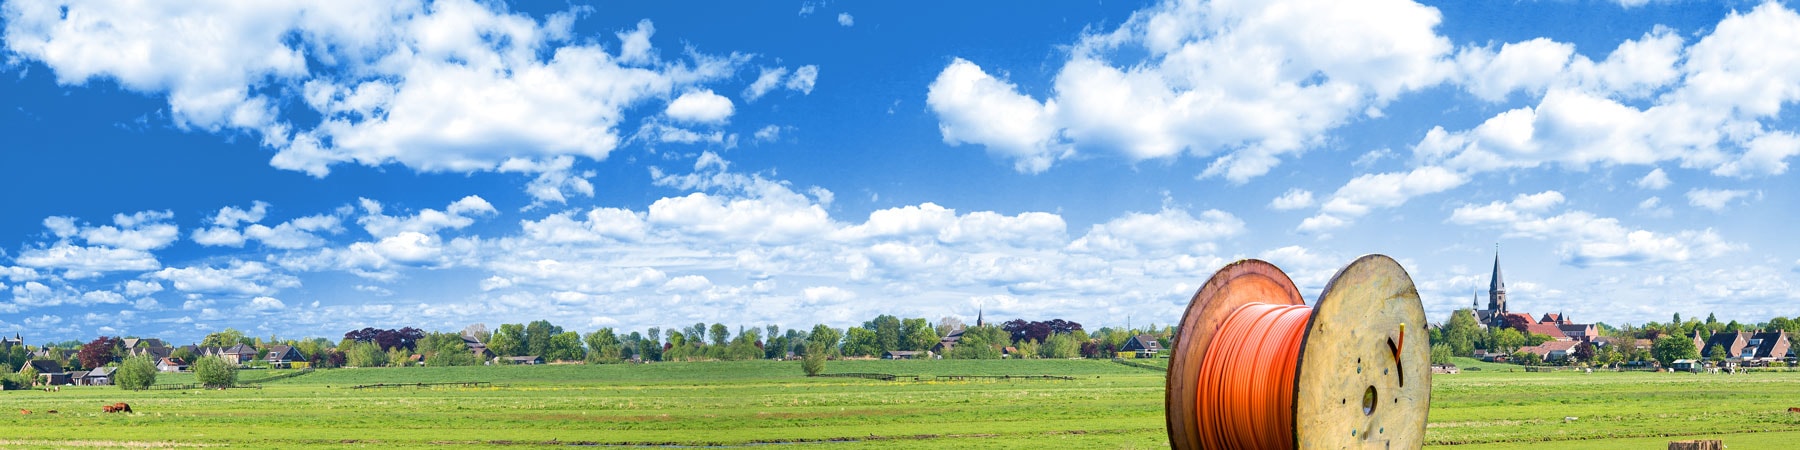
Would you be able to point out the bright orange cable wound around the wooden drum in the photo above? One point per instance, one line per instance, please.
(1246, 388)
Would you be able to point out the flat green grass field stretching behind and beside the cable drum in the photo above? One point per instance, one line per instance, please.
(751, 404)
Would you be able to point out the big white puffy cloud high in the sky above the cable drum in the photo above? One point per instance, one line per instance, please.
(1243, 84)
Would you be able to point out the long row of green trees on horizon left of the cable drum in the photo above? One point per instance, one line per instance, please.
(411, 346)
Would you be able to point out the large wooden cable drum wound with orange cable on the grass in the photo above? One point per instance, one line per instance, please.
(1255, 368)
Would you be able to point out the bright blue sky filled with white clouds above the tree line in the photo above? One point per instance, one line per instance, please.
(309, 168)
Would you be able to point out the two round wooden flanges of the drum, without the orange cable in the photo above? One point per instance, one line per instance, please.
(1353, 390)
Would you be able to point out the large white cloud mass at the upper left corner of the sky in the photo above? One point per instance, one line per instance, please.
(453, 85)
